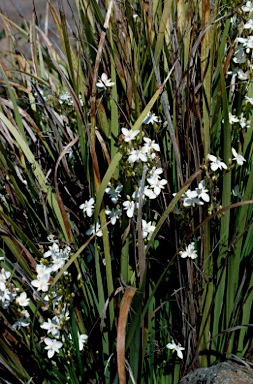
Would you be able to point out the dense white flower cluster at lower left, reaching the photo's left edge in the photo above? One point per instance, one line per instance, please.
(52, 298)
